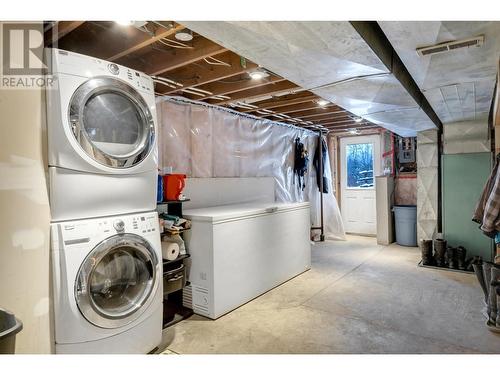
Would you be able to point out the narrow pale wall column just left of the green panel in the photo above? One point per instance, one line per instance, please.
(427, 184)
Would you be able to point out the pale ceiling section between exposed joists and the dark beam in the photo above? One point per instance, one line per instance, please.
(328, 58)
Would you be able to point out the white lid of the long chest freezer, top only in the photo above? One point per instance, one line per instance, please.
(241, 211)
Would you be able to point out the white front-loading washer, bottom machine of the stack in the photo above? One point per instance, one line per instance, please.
(107, 280)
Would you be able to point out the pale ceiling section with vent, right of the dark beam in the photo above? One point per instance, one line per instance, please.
(458, 83)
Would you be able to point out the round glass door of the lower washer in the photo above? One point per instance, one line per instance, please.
(115, 281)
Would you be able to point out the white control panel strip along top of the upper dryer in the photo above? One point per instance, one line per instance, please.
(76, 64)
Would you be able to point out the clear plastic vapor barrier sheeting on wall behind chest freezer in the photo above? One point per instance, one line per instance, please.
(203, 140)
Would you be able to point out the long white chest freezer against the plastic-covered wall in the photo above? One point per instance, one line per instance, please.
(239, 252)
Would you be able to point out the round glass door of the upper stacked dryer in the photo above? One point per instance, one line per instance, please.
(111, 122)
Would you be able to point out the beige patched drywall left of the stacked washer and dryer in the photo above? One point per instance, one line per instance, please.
(24, 218)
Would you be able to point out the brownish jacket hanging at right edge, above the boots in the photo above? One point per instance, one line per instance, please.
(487, 210)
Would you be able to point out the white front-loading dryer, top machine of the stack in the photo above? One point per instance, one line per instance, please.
(102, 144)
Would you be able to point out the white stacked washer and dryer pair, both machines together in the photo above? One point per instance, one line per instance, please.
(105, 242)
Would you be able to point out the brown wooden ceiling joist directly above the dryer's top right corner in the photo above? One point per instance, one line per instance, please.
(157, 62)
